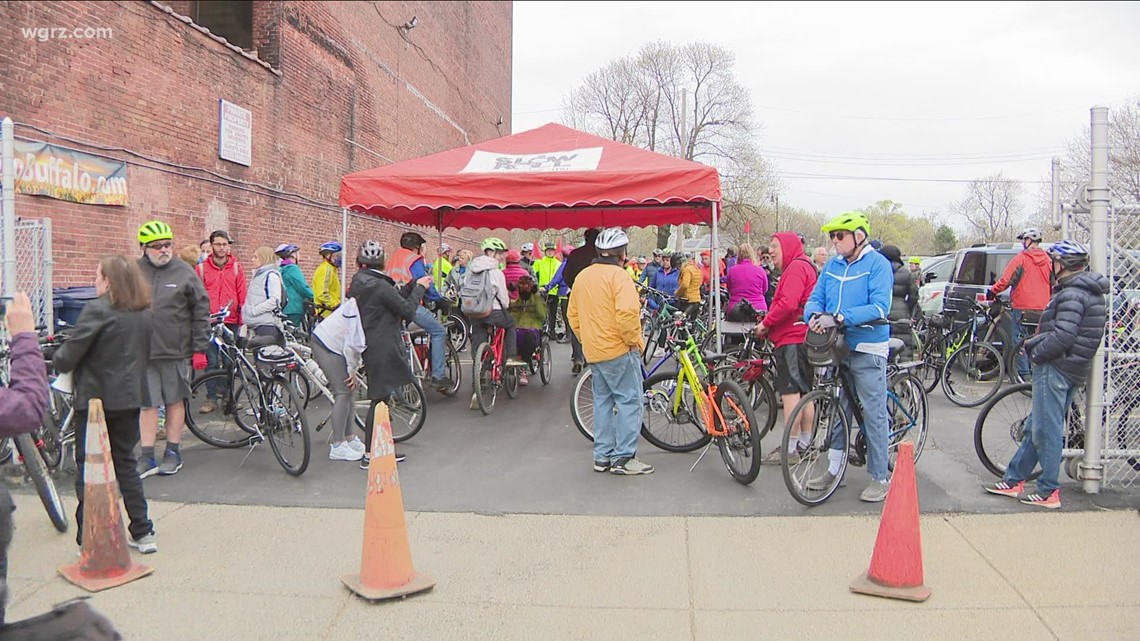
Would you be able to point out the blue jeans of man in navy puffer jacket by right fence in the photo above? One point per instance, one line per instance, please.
(1045, 431)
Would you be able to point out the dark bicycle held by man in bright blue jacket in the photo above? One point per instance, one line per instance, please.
(832, 401)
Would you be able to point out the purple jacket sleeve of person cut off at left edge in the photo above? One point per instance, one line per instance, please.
(26, 400)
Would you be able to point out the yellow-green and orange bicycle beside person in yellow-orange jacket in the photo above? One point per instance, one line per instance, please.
(720, 410)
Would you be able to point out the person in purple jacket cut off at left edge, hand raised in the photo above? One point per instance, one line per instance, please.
(22, 405)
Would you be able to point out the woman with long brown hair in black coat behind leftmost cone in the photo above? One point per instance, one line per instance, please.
(108, 354)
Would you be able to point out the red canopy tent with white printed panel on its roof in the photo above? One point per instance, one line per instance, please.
(549, 178)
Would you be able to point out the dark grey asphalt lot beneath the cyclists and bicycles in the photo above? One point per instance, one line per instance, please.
(528, 458)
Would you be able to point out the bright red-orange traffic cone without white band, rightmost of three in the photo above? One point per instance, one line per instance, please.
(897, 564)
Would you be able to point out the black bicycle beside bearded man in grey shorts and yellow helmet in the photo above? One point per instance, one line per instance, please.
(262, 401)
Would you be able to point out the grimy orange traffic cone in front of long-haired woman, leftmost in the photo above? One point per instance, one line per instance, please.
(105, 562)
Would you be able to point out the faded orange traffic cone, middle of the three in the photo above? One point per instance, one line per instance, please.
(386, 565)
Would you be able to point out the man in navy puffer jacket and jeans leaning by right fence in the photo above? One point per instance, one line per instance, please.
(1063, 353)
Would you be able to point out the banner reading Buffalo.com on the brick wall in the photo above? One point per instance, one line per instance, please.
(69, 175)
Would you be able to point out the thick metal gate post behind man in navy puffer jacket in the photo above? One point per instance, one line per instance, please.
(1093, 468)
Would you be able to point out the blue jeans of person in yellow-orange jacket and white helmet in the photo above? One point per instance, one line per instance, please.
(617, 385)
